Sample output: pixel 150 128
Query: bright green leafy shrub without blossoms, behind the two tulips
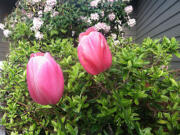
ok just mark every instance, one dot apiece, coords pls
pixel 137 95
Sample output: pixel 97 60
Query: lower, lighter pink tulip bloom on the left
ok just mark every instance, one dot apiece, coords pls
pixel 45 79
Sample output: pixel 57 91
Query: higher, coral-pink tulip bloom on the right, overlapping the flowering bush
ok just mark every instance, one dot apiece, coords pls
pixel 93 52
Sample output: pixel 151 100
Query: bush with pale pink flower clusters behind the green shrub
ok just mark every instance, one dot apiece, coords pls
pixel 44 19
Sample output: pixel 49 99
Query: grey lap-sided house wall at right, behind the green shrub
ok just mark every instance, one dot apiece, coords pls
pixel 158 18
